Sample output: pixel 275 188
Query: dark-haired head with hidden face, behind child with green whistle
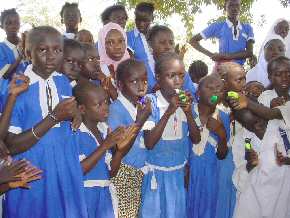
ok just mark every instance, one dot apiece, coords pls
pixel 197 70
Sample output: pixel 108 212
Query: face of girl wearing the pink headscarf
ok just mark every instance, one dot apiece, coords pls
pixel 115 45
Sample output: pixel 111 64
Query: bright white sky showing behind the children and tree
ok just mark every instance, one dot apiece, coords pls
pixel 262 10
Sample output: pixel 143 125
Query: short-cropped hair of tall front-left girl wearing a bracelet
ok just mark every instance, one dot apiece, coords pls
pixel 37 34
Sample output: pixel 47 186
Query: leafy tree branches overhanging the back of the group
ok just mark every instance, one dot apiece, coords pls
pixel 188 8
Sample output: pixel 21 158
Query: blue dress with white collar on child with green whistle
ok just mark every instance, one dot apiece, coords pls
pixel 203 190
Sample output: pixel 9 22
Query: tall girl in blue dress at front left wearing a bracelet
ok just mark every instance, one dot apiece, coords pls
pixel 38 134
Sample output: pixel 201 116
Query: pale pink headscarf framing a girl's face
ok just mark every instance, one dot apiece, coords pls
pixel 104 58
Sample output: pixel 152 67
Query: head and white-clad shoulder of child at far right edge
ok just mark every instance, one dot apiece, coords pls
pixel 279 76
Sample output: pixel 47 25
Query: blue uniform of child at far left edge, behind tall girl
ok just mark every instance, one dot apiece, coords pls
pixel 8 56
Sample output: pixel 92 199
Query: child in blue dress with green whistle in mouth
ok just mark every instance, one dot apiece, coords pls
pixel 214 125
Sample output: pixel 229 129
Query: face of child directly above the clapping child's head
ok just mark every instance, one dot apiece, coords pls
pixel 91 64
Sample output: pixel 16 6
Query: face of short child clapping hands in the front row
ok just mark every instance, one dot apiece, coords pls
pixel 96 108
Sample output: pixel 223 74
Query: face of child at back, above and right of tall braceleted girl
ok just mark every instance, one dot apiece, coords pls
pixel 71 18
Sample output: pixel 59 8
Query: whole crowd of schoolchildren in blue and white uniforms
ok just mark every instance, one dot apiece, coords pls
pixel 119 128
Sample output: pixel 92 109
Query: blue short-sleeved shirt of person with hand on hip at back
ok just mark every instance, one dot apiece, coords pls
pixel 228 41
